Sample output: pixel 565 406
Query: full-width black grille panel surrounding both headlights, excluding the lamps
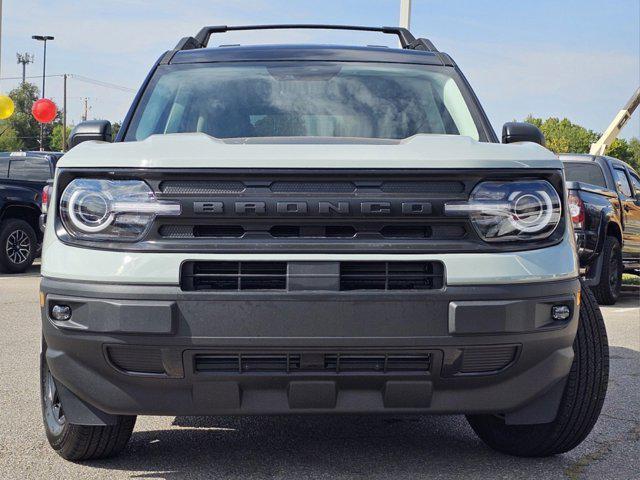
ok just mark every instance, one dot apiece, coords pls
pixel 312 211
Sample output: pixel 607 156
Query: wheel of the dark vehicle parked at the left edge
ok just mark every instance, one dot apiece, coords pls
pixel 18 245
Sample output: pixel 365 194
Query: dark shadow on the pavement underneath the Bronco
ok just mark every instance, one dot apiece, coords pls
pixel 306 446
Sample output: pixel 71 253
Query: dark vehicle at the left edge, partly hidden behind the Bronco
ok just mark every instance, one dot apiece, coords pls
pixel 23 176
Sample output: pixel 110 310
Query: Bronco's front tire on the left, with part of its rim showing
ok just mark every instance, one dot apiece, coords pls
pixel 79 442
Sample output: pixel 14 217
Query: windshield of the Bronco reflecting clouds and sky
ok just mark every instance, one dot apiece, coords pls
pixel 302 99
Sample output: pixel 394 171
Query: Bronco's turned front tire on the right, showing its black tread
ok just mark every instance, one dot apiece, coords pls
pixel 581 402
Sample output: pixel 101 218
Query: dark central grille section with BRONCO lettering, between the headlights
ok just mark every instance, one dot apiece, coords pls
pixel 308 211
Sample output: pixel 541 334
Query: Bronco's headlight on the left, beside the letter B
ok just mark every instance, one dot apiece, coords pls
pixel 120 210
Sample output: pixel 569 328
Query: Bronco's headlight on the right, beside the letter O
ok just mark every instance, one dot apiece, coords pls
pixel 512 211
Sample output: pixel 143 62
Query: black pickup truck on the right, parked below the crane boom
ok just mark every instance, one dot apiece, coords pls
pixel 604 200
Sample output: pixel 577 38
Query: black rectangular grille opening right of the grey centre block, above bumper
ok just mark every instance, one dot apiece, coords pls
pixel 391 275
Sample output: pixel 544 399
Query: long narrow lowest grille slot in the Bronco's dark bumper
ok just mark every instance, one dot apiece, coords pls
pixel 417 363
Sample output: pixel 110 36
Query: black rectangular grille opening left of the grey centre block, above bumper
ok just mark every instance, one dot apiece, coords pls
pixel 234 276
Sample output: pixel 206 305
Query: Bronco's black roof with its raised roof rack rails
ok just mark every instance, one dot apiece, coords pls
pixel 414 50
